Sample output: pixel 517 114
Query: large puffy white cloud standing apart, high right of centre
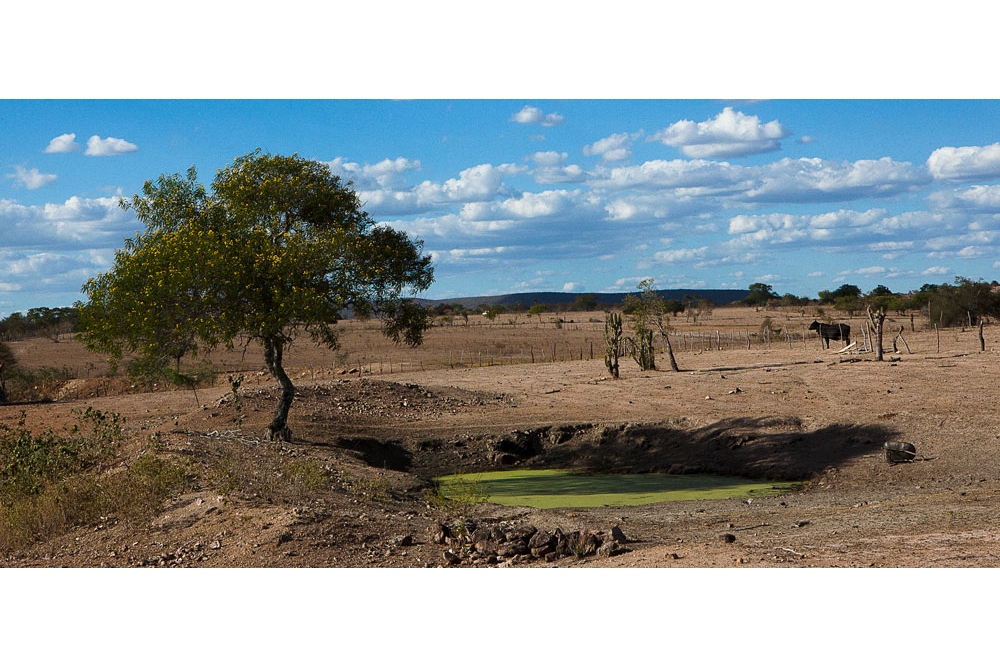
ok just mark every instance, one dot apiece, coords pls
pixel 730 134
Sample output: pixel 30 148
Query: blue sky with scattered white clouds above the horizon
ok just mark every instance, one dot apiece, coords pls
pixel 544 195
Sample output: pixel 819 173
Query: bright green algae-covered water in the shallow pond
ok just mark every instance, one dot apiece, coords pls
pixel 563 488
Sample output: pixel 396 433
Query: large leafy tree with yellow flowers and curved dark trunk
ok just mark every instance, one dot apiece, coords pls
pixel 278 246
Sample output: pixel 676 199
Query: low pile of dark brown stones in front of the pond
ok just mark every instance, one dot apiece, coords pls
pixel 474 544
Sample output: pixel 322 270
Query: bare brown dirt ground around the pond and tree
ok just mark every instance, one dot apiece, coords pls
pixel 802 413
